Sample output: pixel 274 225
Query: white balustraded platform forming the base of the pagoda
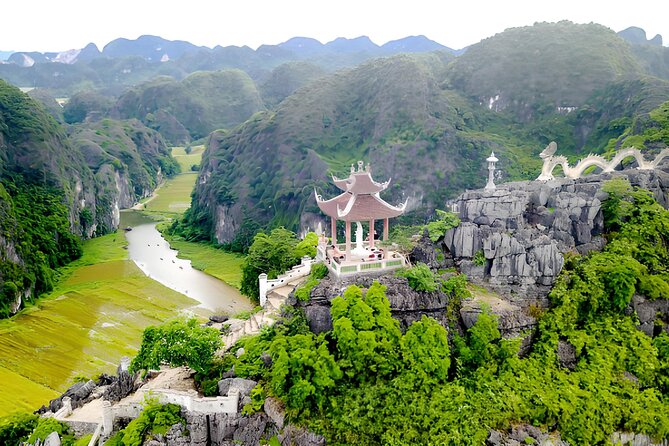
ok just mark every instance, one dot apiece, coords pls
pixel 373 259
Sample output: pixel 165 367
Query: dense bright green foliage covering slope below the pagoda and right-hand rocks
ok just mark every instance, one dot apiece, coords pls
pixel 367 383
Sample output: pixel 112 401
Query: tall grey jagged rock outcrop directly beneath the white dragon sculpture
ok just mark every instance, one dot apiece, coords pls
pixel 513 239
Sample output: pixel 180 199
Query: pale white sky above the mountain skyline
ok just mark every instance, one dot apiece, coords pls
pixel 48 25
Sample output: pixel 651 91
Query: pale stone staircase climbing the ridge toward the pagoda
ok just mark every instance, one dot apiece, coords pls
pixel 265 317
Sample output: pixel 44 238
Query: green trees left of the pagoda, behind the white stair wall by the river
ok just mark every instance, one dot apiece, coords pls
pixel 274 254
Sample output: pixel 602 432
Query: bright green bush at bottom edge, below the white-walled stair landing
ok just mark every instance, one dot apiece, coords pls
pixel 155 418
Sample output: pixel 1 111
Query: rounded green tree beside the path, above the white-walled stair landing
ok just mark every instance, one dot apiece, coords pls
pixel 177 343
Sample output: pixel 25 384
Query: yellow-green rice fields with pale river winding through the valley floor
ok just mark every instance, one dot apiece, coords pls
pixel 103 301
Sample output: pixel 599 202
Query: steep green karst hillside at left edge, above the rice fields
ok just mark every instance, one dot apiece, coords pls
pixel 55 189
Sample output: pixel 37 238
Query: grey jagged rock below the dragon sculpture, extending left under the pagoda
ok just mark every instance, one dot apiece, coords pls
pixel 510 241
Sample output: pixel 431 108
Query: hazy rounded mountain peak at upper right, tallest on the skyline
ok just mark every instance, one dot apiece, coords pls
pixel 533 70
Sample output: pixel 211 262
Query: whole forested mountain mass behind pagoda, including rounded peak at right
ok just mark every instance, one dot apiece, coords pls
pixel 426 121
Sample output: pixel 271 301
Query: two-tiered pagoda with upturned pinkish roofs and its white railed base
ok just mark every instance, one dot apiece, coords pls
pixel 359 202
